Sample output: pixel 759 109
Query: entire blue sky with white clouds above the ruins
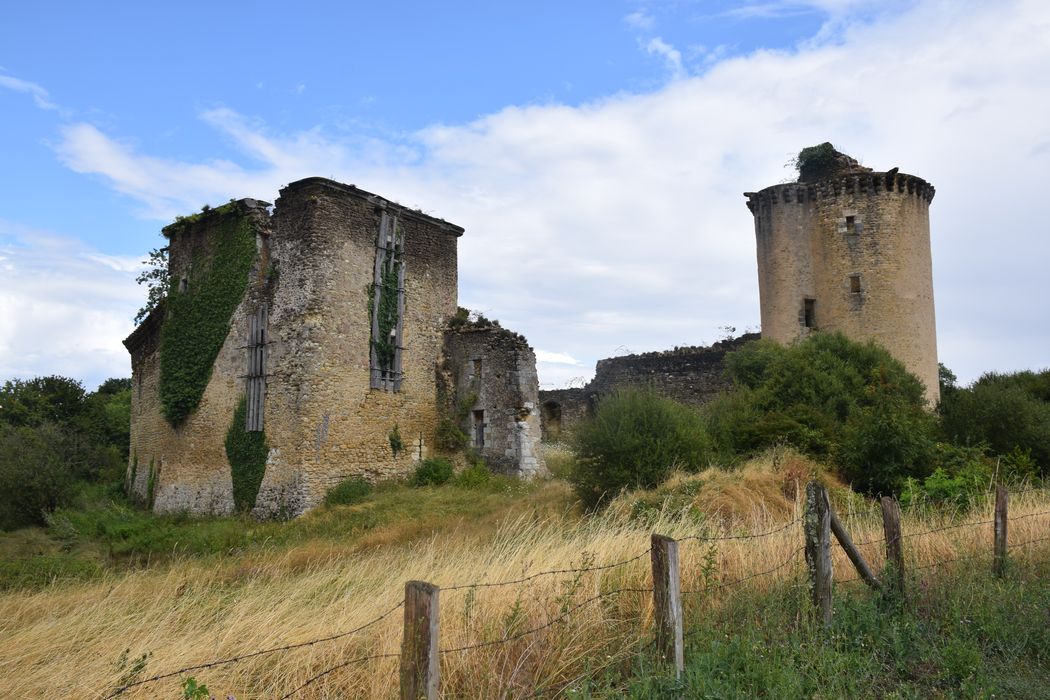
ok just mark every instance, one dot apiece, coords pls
pixel 596 153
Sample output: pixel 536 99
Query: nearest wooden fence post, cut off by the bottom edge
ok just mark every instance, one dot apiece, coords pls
pixel 421 669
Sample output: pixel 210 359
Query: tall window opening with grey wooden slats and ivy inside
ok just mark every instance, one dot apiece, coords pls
pixel 388 306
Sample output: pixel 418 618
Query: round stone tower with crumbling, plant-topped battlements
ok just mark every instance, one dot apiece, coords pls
pixel 847 249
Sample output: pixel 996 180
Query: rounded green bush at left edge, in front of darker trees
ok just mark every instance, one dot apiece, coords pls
pixel 35 476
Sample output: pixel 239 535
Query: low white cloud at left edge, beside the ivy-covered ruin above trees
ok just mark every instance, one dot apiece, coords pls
pixel 65 309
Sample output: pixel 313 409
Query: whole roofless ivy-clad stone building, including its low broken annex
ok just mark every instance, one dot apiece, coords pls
pixel 300 349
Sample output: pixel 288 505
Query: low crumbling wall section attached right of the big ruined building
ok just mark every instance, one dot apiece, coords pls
pixel 494 372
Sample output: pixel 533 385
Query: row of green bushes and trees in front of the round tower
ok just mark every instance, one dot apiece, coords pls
pixel 850 406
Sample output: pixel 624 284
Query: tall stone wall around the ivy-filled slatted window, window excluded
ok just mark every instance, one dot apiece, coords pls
pixel 325 422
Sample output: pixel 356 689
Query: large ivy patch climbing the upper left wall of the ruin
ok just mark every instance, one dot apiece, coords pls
pixel 199 320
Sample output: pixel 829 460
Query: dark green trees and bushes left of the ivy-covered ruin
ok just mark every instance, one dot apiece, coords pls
pixel 54 436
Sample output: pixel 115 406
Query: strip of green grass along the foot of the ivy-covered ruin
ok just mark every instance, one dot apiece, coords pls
pixel 104 533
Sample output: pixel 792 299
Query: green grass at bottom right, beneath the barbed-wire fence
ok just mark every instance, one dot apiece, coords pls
pixel 960 634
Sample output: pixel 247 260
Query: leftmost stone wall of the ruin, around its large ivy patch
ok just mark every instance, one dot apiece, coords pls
pixel 191 472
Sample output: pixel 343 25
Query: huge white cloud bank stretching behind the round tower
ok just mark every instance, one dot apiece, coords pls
pixel 622 222
